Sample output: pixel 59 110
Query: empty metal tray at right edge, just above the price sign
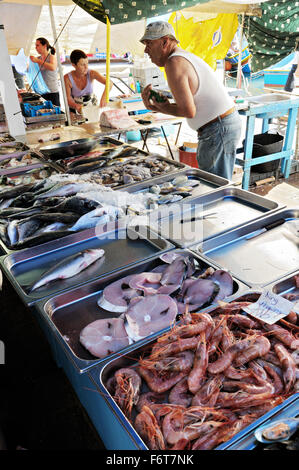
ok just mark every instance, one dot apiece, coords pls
pixel 256 262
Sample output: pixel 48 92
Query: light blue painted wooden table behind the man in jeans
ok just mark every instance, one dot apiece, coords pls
pixel 267 107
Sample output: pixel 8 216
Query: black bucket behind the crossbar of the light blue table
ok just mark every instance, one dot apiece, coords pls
pixel 266 144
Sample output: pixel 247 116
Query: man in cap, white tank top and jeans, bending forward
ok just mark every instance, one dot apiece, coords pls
pixel 199 96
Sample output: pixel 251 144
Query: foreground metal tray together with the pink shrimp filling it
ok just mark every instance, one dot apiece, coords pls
pixel 184 410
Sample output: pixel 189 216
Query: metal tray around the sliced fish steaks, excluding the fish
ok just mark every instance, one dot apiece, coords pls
pixel 67 314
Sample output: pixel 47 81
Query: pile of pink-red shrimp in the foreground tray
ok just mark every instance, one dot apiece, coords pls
pixel 209 377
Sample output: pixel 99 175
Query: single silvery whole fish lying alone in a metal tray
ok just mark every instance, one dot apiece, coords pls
pixel 69 267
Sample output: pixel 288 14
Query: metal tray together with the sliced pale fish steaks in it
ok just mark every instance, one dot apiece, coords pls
pixel 72 316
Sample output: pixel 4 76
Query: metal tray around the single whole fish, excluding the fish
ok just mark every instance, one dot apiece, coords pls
pixel 123 247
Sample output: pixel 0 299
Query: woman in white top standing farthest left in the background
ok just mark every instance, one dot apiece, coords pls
pixel 47 62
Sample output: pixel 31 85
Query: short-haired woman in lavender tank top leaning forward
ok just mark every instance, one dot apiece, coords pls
pixel 78 82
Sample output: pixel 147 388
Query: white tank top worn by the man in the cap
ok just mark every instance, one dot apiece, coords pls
pixel 211 99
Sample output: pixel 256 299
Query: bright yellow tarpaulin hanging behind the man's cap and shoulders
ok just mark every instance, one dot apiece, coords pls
pixel 209 39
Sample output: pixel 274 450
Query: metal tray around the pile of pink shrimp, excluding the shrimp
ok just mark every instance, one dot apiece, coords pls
pixel 118 421
